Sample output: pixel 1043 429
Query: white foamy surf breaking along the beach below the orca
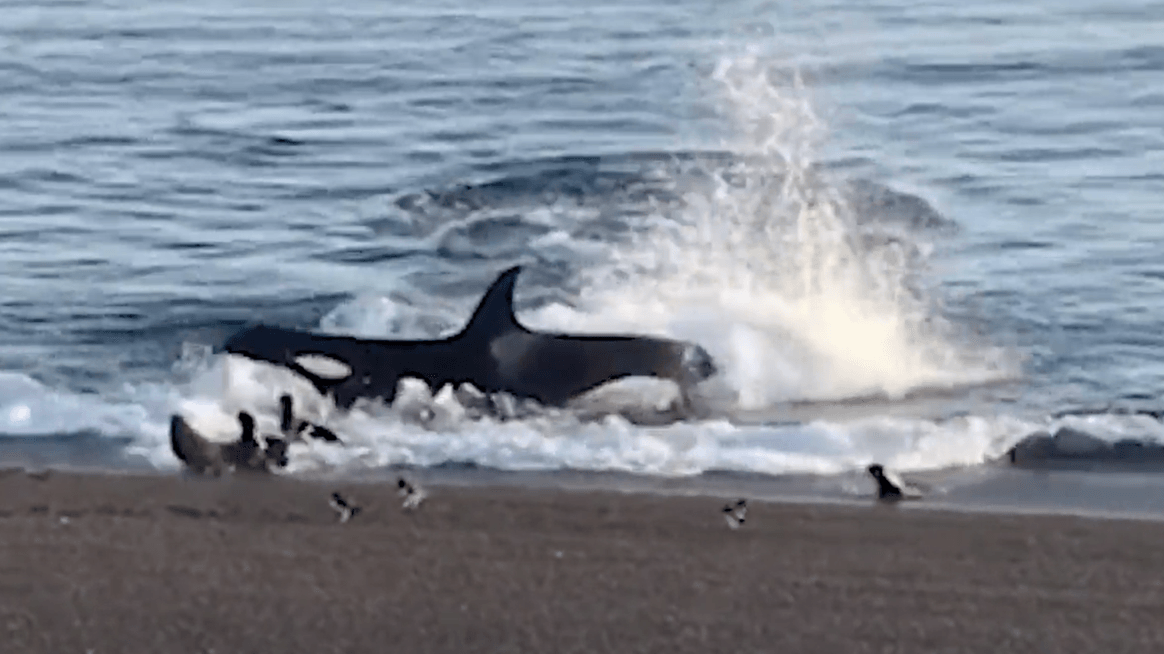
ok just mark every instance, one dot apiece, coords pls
pixel 427 430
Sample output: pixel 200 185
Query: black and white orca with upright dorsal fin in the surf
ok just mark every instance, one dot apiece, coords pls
pixel 494 353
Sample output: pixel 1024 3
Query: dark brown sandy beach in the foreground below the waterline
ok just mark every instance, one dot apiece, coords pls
pixel 168 564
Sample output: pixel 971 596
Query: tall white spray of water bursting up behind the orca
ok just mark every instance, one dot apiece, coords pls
pixel 798 296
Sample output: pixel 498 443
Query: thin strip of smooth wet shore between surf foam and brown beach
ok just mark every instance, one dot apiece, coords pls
pixel 988 489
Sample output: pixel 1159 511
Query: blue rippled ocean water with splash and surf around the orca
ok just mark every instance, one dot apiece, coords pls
pixel 912 233
